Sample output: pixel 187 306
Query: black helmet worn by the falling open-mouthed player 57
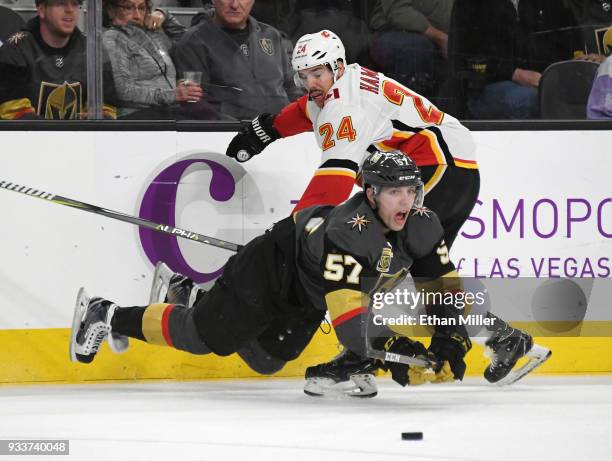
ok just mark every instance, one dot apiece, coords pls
pixel 393 168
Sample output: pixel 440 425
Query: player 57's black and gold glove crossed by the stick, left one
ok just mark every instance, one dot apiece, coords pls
pixel 406 374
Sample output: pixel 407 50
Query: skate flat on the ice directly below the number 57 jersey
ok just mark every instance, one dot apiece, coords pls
pixel 347 374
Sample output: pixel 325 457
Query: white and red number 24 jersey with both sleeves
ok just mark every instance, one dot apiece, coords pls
pixel 366 108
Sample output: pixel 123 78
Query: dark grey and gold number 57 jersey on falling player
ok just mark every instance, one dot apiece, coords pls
pixel 343 256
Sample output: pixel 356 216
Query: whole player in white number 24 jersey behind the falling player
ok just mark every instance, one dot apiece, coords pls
pixel 351 109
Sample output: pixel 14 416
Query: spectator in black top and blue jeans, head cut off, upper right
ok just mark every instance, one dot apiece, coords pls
pixel 485 44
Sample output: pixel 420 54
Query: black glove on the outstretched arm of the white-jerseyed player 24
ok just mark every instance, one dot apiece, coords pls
pixel 253 138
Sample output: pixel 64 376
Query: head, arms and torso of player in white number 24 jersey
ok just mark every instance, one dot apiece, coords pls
pixel 349 108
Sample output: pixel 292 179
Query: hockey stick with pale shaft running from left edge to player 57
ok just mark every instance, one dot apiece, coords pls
pixel 163 228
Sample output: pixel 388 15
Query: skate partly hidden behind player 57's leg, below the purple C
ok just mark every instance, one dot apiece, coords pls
pixel 172 288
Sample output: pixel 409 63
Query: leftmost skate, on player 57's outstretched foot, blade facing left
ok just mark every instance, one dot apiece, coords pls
pixel 91 325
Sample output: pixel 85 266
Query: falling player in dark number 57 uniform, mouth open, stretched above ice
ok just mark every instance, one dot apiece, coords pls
pixel 274 293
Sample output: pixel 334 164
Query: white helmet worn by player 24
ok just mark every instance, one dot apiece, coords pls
pixel 312 50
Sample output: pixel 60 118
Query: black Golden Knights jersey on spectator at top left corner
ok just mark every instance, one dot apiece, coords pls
pixel 39 81
